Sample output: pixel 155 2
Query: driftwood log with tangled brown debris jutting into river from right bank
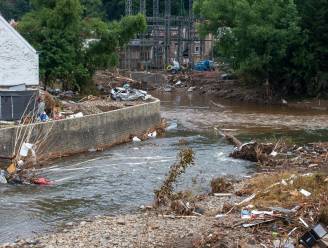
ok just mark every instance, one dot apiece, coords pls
pixel 252 151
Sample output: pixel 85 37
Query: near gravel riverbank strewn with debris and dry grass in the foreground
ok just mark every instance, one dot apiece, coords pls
pixel 280 197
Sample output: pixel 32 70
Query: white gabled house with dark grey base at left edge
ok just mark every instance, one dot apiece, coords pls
pixel 19 72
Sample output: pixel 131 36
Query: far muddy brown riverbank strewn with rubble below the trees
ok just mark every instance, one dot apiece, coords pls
pixel 219 86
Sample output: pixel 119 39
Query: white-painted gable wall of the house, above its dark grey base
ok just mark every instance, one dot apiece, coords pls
pixel 19 62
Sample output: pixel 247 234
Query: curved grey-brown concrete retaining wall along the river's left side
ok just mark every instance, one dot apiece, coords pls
pixel 78 135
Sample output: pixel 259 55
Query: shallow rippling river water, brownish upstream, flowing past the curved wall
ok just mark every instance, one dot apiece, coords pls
pixel 121 179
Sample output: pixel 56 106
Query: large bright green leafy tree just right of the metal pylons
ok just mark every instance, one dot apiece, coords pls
pixel 259 37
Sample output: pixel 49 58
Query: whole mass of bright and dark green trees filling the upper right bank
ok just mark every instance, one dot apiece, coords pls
pixel 281 43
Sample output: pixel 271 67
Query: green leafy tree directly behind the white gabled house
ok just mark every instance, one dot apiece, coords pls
pixel 73 45
